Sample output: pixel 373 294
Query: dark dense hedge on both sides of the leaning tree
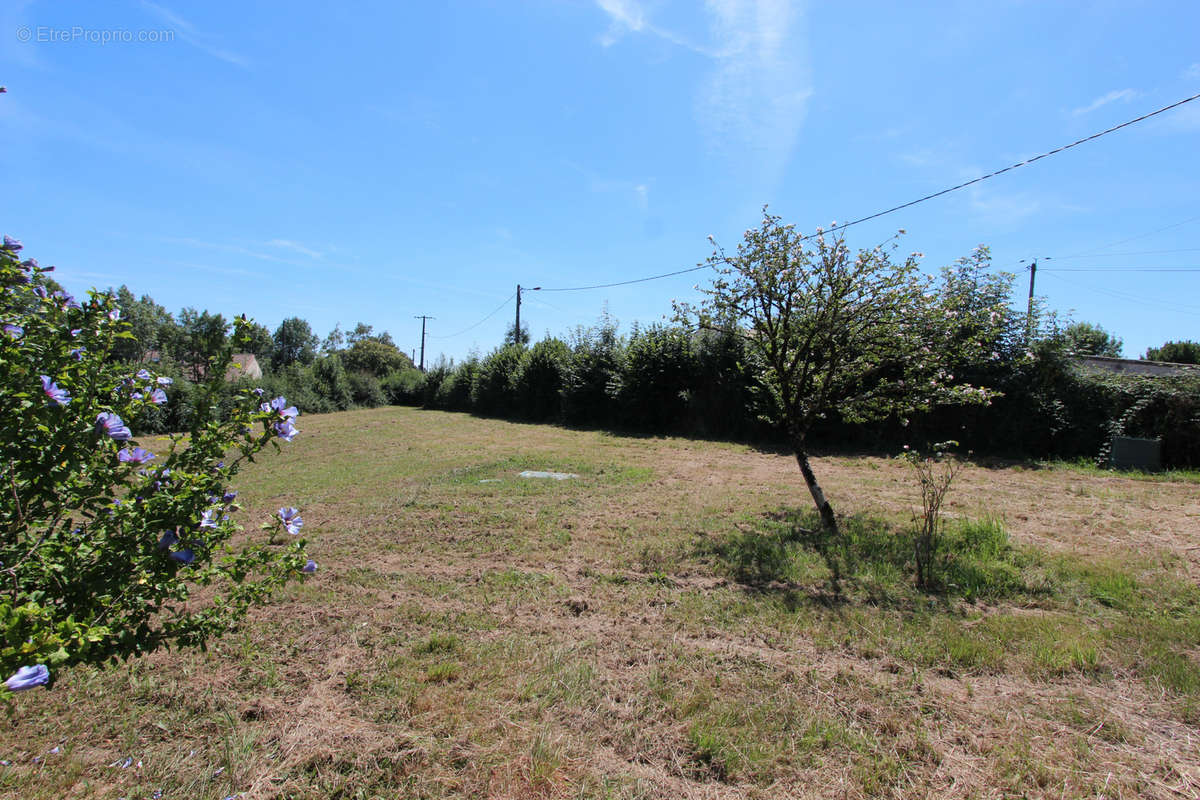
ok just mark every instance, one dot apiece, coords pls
pixel 667 380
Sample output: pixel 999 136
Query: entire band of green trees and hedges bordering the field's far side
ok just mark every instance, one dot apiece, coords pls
pixel 669 380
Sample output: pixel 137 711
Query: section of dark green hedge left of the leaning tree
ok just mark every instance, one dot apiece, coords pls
pixel 661 380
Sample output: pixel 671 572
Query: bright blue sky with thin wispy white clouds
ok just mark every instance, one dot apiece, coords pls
pixel 397 160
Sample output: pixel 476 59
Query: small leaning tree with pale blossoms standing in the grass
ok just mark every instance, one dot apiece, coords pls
pixel 850 335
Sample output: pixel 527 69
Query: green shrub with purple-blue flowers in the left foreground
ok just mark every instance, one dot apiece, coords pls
pixel 104 542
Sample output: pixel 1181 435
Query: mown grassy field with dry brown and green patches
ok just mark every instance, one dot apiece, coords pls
pixel 661 627
